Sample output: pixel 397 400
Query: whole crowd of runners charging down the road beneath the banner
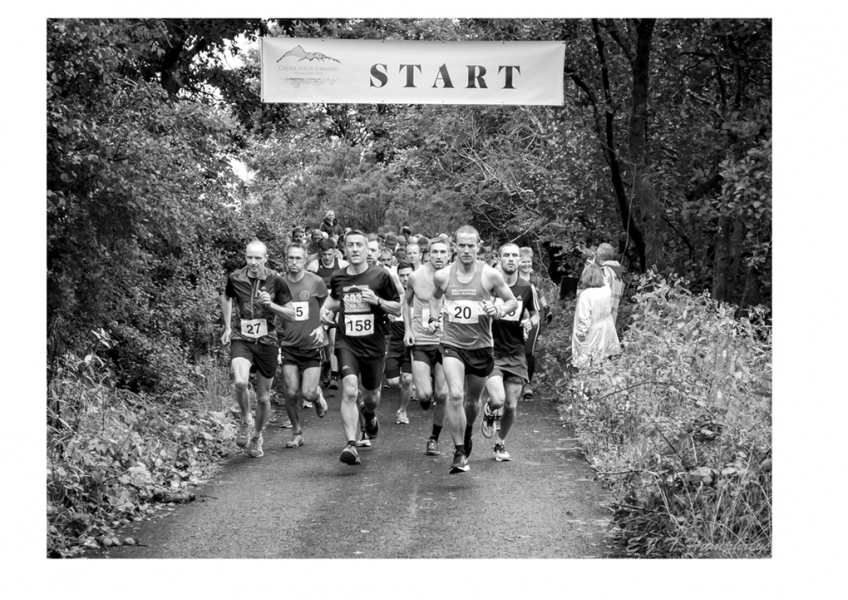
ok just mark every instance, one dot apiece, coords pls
pixel 449 321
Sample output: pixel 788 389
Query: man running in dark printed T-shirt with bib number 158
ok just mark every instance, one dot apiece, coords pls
pixel 363 294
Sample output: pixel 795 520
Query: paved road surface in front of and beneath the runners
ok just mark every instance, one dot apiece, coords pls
pixel 399 503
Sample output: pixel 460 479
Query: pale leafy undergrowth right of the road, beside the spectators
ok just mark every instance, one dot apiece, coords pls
pixel 679 425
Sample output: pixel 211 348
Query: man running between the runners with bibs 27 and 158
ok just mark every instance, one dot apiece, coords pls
pixel 302 340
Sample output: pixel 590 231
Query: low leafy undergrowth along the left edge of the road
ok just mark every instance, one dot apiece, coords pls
pixel 113 454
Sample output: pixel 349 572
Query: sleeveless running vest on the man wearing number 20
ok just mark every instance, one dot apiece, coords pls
pixel 464 322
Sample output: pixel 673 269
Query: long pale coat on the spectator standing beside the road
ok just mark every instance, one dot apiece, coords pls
pixel 593 323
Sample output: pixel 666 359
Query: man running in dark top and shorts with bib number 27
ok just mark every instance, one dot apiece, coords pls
pixel 261 295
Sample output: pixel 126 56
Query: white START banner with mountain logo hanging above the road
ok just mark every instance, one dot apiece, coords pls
pixel 412 72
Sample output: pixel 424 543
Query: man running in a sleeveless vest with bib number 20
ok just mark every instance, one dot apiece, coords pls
pixel 468 287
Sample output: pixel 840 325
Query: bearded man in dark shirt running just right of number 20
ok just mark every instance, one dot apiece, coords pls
pixel 510 372
